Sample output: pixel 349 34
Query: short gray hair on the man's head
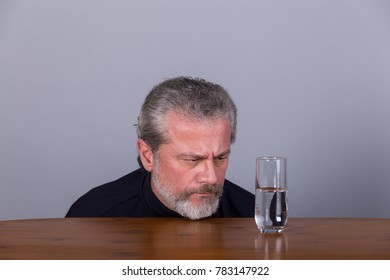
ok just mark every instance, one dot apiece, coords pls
pixel 194 98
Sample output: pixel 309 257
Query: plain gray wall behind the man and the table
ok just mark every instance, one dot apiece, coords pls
pixel 311 80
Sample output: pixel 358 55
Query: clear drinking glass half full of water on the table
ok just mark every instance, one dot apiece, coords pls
pixel 271 194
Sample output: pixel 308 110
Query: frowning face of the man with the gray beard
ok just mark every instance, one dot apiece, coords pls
pixel 189 171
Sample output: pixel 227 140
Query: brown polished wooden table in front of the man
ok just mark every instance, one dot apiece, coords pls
pixel 167 238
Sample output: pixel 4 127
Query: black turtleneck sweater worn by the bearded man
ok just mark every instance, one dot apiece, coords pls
pixel 132 196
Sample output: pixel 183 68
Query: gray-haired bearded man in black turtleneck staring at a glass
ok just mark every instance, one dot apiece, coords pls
pixel 185 129
